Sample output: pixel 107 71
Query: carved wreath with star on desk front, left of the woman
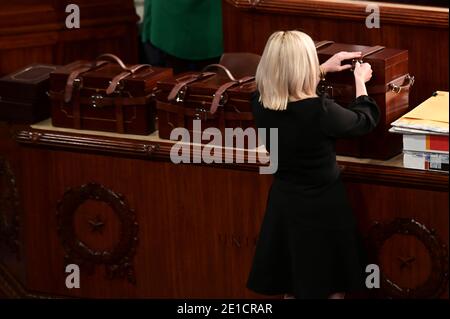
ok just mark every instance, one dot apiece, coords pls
pixel 94 234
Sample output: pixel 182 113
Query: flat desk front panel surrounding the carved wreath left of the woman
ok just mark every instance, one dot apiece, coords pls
pixel 190 244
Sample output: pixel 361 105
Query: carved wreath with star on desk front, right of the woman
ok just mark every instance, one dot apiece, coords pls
pixel 412 258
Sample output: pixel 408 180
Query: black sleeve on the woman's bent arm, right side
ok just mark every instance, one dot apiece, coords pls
pixel 361 117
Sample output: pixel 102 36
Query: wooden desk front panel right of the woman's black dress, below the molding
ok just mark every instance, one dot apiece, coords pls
pixel 384 204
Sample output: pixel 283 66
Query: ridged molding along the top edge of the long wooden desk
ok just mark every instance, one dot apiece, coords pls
pixel 351 171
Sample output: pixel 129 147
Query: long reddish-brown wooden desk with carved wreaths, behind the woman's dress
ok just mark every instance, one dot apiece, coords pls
pixel 140 226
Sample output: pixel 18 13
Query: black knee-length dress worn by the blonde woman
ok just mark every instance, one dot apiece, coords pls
pixel 308 245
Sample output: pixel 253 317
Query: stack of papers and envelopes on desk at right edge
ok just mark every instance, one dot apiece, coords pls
pixel 425 134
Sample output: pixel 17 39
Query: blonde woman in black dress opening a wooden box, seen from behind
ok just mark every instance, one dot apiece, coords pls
pixel 308 246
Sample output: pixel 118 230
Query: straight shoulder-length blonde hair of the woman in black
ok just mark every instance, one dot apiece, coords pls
pixel 288 70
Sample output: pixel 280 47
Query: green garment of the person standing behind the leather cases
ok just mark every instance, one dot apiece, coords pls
pixel 186 29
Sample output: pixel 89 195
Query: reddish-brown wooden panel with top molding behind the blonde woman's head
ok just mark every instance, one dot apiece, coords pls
pixel 422 31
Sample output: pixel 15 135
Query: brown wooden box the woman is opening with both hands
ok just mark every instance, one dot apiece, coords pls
pixel 389 87
